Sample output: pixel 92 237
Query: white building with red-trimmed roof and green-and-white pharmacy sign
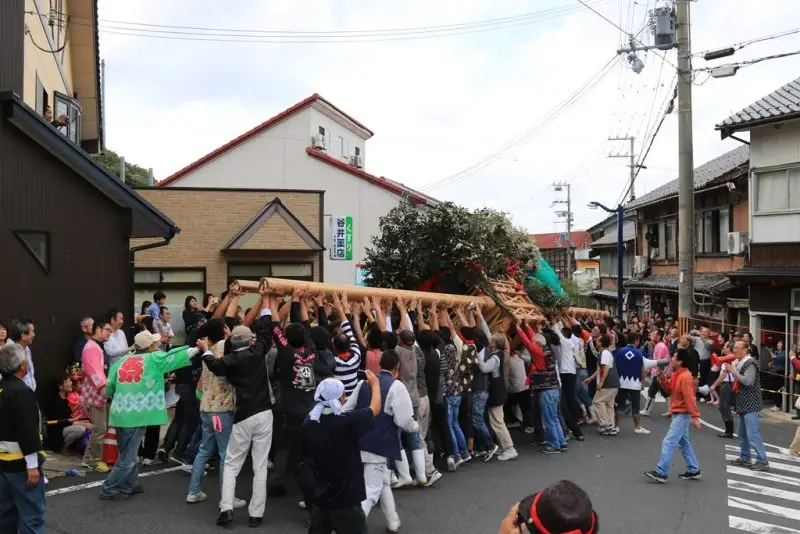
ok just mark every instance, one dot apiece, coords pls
pixel 312 145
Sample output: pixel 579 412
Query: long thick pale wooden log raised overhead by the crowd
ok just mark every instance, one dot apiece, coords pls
pixel 359 292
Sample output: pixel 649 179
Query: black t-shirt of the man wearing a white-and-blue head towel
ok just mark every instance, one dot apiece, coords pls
pixel 331 446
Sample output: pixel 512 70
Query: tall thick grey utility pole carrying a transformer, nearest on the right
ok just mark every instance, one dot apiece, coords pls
pixel 685 168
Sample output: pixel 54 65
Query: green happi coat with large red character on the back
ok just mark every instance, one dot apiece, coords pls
pixel 136 386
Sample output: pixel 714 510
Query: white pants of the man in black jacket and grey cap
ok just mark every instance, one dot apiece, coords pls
pixel 256 430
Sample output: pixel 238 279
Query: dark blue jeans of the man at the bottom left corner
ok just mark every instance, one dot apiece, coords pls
pixel 21 507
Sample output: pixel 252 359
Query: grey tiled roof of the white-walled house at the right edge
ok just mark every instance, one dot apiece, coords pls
pixel 777 106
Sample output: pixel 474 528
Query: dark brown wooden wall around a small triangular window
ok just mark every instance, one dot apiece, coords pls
pixel 89 261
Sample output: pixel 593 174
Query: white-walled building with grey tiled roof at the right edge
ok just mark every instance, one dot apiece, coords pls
pixel 772 270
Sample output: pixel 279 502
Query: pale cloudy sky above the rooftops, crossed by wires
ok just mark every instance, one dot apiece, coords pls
pixel 439 105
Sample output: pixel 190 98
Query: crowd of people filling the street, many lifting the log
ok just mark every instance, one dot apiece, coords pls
pixel 356 399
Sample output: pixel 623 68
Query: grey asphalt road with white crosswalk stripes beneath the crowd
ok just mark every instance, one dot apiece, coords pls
pixel 475 499
